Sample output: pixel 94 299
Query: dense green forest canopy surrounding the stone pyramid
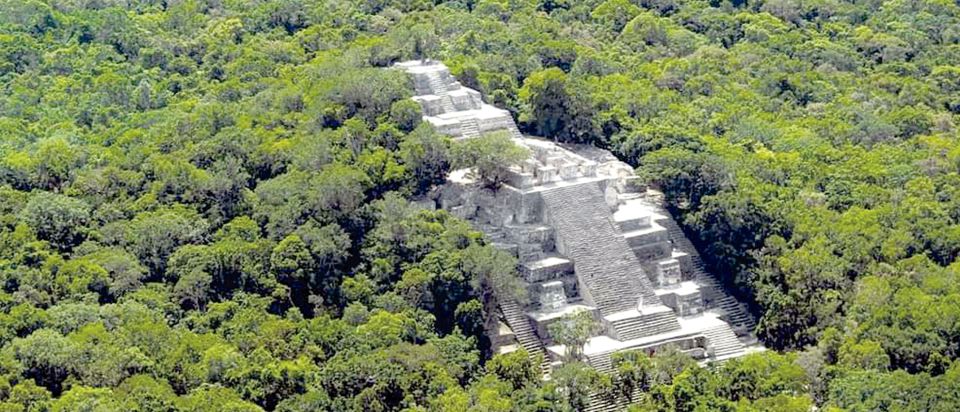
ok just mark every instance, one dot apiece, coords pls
pixel 210 205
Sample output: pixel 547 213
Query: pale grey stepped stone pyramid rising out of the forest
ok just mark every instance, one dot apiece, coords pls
pixel 588 236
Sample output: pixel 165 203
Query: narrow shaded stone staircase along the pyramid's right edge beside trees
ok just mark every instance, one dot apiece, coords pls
pixel 713 294
